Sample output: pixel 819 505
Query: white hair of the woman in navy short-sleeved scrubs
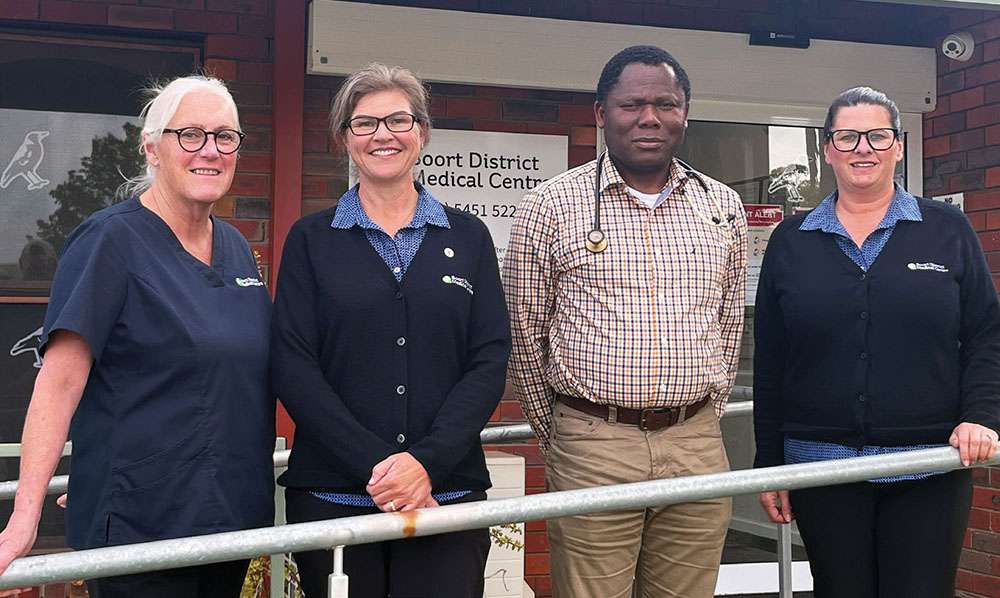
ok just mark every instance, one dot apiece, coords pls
pixel 164 99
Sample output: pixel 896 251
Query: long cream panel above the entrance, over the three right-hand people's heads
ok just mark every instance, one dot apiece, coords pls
pixel 464 47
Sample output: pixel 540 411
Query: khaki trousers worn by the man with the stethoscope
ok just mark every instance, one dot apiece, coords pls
pixel 671 551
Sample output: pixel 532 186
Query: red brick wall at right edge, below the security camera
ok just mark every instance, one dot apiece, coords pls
pixel 962 153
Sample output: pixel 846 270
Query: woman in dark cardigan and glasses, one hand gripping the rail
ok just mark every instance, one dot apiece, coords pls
pixel 877 331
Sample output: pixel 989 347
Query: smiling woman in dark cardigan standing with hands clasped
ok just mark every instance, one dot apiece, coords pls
pixel 389 348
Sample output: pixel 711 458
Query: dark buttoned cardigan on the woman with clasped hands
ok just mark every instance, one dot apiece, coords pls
pixel 368 367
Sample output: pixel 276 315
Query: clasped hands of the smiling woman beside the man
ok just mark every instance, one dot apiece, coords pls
pixel 400 483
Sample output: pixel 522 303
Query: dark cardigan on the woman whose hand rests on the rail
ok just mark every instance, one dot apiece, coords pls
pixel 896 356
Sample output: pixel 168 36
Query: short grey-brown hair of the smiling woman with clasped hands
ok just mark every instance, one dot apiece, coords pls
pixel 374 78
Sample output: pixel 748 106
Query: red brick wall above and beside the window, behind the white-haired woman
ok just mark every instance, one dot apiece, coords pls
pixel 237 38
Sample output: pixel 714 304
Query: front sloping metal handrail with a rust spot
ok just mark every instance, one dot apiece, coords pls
pixel 213 548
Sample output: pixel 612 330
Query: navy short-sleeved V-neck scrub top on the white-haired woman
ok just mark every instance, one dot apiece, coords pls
pixel 175 430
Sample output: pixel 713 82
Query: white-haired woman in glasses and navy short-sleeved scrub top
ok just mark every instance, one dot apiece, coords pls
pixel 156 350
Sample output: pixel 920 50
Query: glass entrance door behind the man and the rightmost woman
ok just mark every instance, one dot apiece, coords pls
pixel 778 170
